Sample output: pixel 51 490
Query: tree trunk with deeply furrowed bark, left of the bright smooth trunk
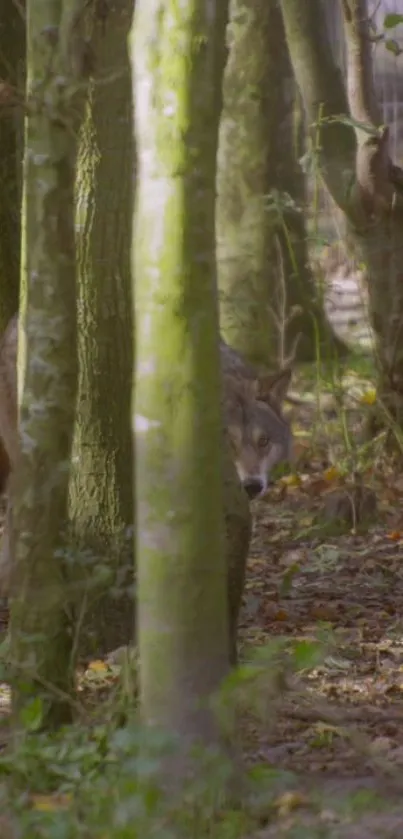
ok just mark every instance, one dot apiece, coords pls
pixel 101 495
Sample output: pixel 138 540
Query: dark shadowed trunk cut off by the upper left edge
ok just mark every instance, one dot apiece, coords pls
pixel 12 60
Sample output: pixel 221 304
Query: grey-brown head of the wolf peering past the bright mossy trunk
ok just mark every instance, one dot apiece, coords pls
pixel 260 435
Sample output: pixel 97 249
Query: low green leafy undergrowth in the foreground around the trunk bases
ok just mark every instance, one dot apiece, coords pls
pixel 100 777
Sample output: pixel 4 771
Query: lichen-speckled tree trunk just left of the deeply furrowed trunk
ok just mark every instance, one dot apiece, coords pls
pixel 41 643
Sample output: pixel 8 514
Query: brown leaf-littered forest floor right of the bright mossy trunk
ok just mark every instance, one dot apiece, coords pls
pixel 324 608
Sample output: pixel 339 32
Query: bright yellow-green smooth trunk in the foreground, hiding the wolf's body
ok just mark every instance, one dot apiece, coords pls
pixel 182 578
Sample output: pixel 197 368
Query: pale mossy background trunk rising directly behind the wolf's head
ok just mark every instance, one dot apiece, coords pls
pixel 246 251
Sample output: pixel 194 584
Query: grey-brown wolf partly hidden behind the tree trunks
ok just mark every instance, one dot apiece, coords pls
pixel 260 436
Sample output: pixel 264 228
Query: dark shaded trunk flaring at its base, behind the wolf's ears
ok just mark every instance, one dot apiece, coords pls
pixel 293 291
